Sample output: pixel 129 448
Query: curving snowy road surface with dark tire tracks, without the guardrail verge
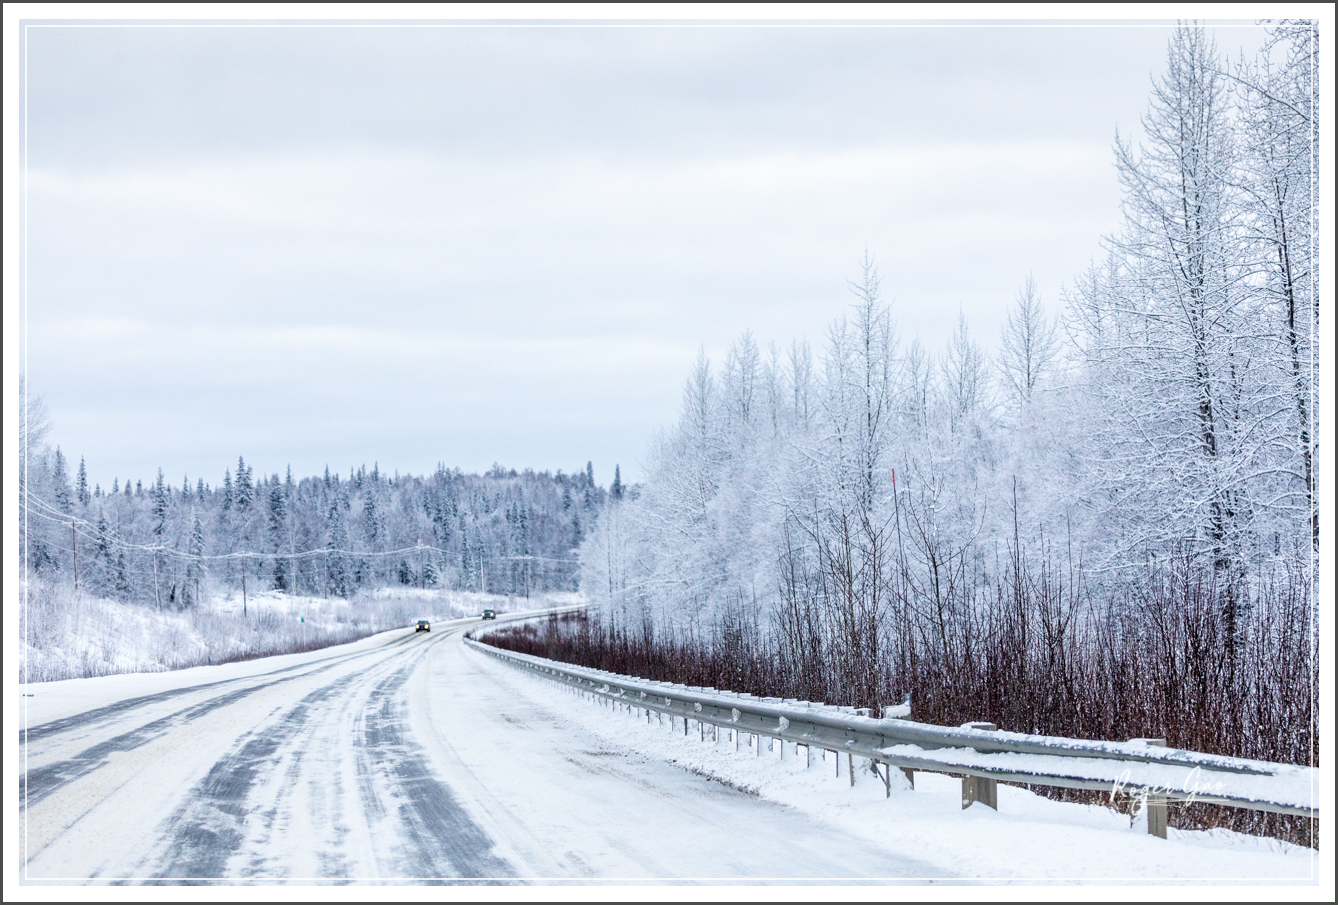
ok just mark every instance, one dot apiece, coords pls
pixel 405 757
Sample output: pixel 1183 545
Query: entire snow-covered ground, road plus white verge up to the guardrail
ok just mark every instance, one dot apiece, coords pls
pixel 409 757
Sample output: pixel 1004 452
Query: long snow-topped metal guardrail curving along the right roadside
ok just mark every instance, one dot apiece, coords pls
pixel 977 753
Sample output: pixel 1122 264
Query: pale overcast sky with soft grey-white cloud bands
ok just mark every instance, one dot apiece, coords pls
pixel 413 246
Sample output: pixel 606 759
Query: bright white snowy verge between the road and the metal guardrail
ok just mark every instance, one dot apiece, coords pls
pixel 1028 839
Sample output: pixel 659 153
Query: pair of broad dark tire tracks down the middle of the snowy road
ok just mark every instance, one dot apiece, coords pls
pixel 414 821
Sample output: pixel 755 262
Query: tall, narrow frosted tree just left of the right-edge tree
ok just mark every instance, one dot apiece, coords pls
pixel 1170 329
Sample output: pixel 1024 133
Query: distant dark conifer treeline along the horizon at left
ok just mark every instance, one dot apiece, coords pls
pixel 173 546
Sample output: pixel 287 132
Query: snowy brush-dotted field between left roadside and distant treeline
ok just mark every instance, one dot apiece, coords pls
pixel 73 635
